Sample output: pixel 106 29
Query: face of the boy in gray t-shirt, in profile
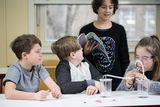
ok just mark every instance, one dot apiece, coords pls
pixel 34 57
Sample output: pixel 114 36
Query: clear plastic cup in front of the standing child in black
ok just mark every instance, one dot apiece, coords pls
pixel 105 87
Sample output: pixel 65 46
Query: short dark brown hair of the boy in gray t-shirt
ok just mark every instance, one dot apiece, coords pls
pixel 24 43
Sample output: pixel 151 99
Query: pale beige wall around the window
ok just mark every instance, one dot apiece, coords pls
pixel 14 22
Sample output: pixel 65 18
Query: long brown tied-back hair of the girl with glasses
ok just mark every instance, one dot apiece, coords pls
pixel 152 45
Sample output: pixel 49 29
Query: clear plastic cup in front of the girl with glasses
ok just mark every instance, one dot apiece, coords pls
pixel 142 88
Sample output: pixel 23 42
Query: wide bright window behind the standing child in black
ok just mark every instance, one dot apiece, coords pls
pixel 138 20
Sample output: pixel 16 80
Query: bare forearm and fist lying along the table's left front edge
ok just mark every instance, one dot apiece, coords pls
pixel 12 93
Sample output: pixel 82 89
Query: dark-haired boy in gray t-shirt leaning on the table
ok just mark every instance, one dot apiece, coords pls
pixel 22 78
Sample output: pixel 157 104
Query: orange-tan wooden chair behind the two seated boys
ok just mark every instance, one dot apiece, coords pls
pixel 50 66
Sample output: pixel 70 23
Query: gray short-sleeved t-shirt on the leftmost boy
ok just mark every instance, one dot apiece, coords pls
pixel 24 80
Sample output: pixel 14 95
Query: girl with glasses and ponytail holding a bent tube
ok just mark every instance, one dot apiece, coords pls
pixel 148 52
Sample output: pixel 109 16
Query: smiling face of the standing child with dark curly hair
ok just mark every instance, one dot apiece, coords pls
pixel 105 11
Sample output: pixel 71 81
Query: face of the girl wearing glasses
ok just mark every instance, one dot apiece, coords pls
pixel 146 58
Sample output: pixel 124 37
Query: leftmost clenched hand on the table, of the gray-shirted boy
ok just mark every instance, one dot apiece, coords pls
pixel 41 95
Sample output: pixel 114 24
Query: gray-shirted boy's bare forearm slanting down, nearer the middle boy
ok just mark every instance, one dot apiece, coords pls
pixel 56 92
